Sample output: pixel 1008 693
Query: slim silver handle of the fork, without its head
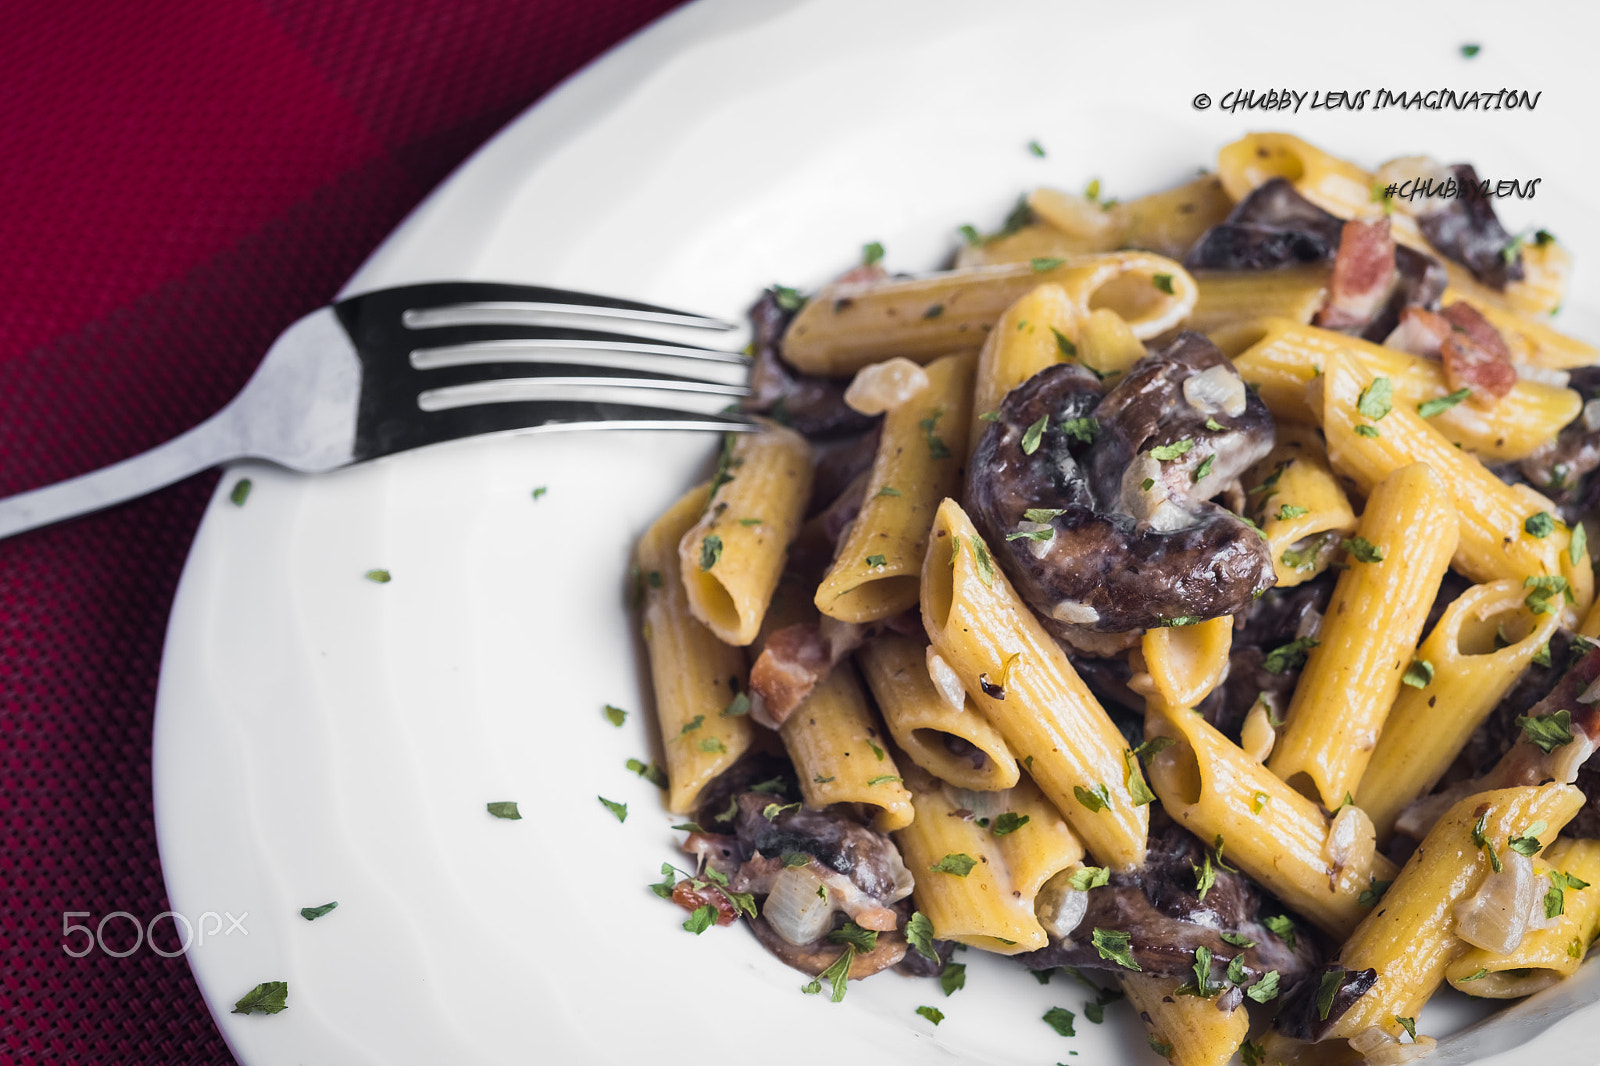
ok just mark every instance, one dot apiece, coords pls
pixel 209 444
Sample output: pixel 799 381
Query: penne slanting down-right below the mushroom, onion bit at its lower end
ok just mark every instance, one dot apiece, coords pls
pixel 1273 833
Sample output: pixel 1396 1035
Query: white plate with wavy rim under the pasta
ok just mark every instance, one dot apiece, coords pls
pixel 321 737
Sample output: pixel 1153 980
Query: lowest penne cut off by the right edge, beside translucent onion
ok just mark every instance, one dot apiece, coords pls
pixel 1545 955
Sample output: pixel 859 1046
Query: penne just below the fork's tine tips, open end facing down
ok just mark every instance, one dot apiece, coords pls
pixel 735 555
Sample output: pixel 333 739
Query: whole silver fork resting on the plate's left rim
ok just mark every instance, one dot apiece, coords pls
pixel 423 364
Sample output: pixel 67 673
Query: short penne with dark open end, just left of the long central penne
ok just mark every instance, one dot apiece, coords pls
pixel 956 745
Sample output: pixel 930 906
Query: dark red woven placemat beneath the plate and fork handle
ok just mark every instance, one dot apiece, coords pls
pixel 180 182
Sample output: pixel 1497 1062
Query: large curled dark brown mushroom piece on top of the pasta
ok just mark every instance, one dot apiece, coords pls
pixel 1130 473
